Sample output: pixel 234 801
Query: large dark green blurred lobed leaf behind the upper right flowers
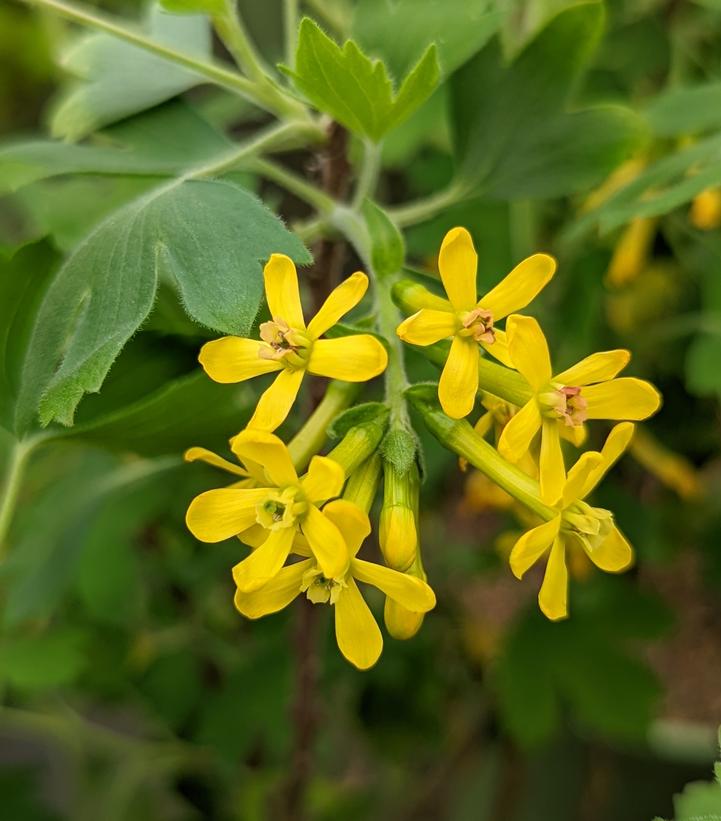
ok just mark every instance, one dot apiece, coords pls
pixel 513 135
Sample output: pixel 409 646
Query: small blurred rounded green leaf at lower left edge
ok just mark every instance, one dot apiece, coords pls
pixel 42 662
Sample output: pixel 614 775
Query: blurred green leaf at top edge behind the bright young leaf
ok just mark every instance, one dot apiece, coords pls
pixel 458 28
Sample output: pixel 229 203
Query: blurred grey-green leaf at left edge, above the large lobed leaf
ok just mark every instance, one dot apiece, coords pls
pixel 164 141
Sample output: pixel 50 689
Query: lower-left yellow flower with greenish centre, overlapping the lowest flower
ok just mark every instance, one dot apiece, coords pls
pixel 270 515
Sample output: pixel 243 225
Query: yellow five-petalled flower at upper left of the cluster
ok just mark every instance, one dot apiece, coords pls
pixel 291 347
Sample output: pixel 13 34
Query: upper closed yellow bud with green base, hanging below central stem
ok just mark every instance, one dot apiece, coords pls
pixel 397 533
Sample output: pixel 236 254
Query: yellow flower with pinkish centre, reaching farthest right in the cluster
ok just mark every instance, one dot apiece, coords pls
pixel 587 390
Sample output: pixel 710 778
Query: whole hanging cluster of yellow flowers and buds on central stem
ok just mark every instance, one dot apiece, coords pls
pixel 304 516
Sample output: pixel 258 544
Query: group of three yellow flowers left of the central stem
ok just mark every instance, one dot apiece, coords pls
pixel 303 537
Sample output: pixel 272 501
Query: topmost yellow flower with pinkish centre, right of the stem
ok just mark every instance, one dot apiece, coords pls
pixel 469 320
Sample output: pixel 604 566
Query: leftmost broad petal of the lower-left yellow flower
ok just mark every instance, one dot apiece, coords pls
pixel 219 514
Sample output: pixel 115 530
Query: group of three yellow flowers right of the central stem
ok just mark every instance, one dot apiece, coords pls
pixel 531 409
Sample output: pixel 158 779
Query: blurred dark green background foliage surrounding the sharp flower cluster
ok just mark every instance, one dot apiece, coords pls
pixel 131 689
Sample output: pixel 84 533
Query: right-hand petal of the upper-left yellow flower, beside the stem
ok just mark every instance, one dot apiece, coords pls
pixel 356 358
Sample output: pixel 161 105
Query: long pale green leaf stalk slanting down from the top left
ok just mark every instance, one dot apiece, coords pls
pixel 270 99
